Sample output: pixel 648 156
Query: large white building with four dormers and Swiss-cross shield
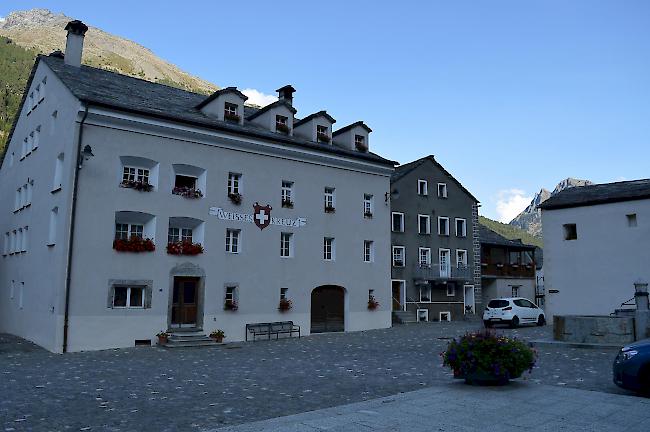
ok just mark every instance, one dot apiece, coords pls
pixel 244 207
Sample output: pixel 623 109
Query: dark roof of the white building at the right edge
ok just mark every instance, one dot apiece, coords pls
pixel 604 193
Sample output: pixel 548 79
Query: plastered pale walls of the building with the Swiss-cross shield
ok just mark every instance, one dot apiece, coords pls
pixel 33 272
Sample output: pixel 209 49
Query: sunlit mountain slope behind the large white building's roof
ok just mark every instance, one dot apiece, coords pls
pixel 24 34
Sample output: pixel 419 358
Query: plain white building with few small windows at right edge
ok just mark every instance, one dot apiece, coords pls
pixel 595 246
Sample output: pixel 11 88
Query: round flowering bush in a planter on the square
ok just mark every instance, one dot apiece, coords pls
pixel 489 355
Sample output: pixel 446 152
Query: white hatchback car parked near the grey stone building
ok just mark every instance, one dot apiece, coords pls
pixel 513 311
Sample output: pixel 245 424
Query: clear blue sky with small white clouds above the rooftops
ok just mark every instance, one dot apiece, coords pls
pixel 509 95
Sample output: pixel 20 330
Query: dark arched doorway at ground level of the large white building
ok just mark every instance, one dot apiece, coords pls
pixel 328 309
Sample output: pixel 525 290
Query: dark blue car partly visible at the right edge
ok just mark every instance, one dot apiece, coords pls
pixel 632 367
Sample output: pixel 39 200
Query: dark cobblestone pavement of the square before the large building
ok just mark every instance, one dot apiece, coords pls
pixel 195 389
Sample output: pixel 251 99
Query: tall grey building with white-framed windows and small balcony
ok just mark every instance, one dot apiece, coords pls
pixel 435 248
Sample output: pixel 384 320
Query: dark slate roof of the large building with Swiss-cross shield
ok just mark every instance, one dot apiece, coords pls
pixel 102 88
